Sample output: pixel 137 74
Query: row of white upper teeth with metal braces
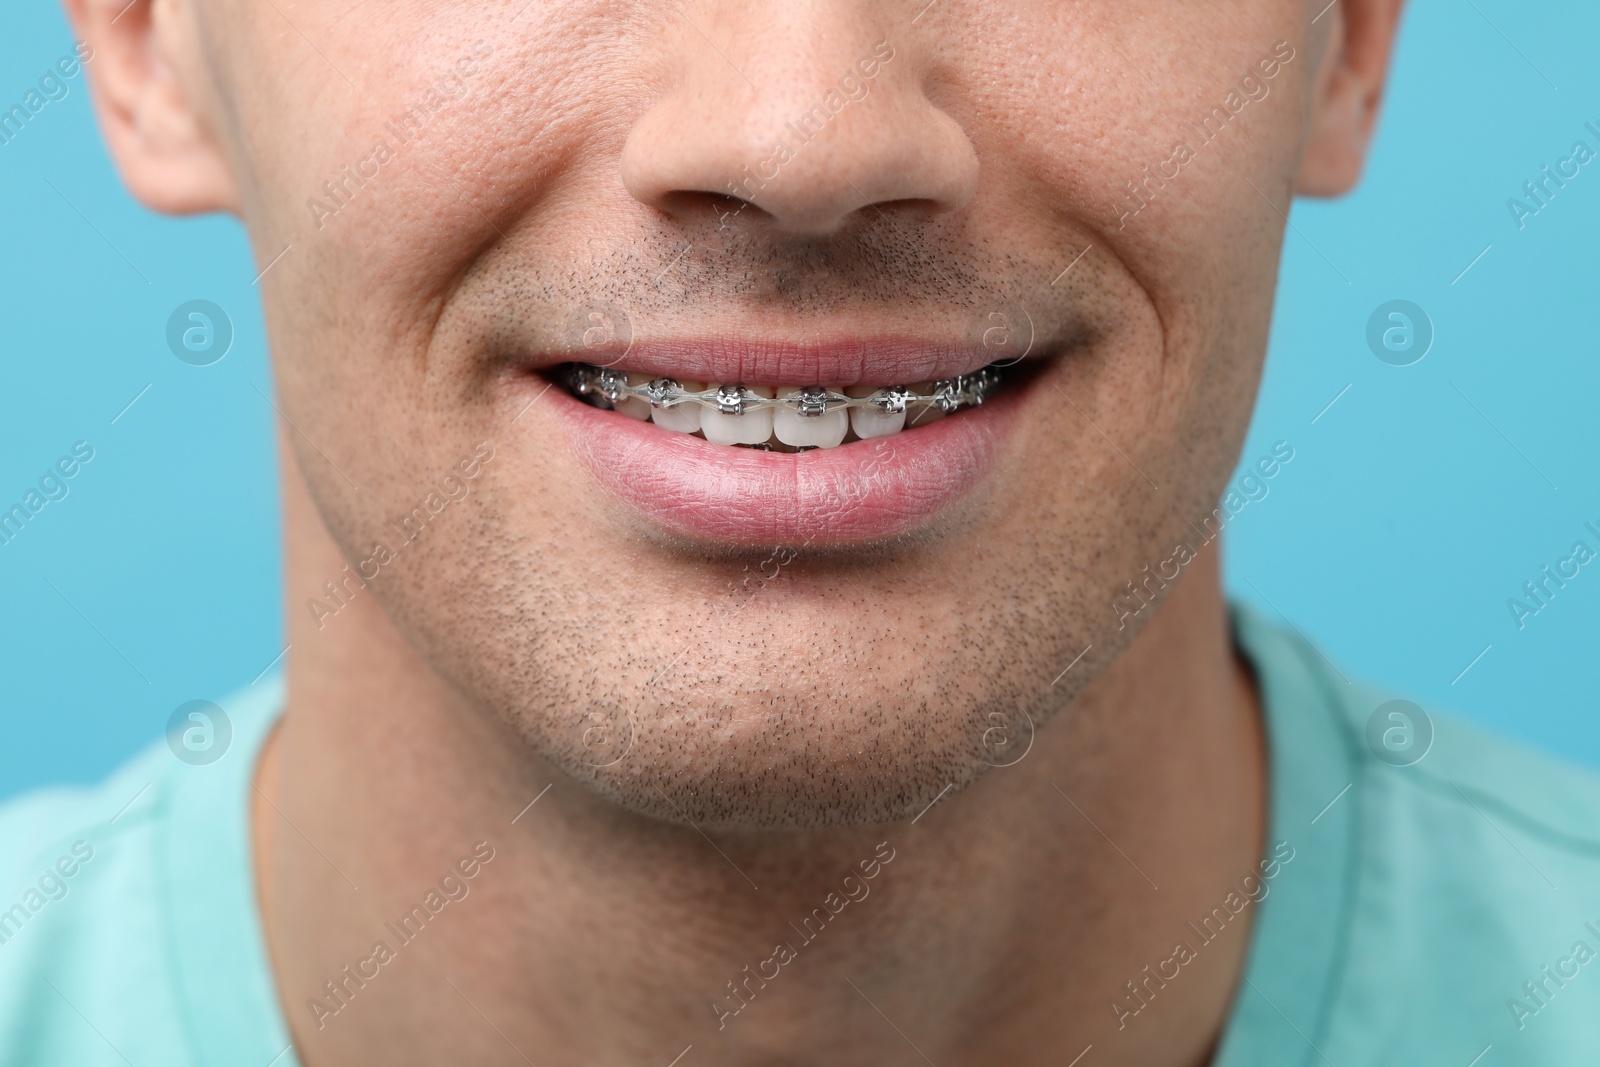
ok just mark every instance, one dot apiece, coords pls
pixel 812 417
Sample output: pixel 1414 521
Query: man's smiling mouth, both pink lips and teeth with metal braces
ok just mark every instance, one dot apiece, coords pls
pixel 753 446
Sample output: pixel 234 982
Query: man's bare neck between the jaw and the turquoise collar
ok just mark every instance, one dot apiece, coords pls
pixel 1015 922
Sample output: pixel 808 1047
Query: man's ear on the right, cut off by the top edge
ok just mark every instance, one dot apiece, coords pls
pixel 1350 89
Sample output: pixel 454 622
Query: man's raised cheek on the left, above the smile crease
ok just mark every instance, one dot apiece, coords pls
pixel 465 153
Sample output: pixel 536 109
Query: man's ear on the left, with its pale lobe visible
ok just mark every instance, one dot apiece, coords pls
pixel 146 76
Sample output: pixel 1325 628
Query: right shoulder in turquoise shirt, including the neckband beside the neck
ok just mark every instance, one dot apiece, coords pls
pixel 1470 908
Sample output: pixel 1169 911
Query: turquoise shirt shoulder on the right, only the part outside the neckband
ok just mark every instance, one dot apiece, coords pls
pixel 1481 868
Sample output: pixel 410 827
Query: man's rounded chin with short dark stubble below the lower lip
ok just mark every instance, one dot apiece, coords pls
pixel 793 713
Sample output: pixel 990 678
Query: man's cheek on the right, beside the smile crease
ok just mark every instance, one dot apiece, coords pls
pixel 1202 250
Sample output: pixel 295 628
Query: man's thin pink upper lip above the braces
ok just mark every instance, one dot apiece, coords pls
pixel 850 362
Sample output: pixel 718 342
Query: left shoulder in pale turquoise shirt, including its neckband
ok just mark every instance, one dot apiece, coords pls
pixel 127 909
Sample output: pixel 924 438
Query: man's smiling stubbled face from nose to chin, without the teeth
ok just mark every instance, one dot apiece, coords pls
pixel 476 194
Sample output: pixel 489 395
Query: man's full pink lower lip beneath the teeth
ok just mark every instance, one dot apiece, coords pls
pixel 866 490
